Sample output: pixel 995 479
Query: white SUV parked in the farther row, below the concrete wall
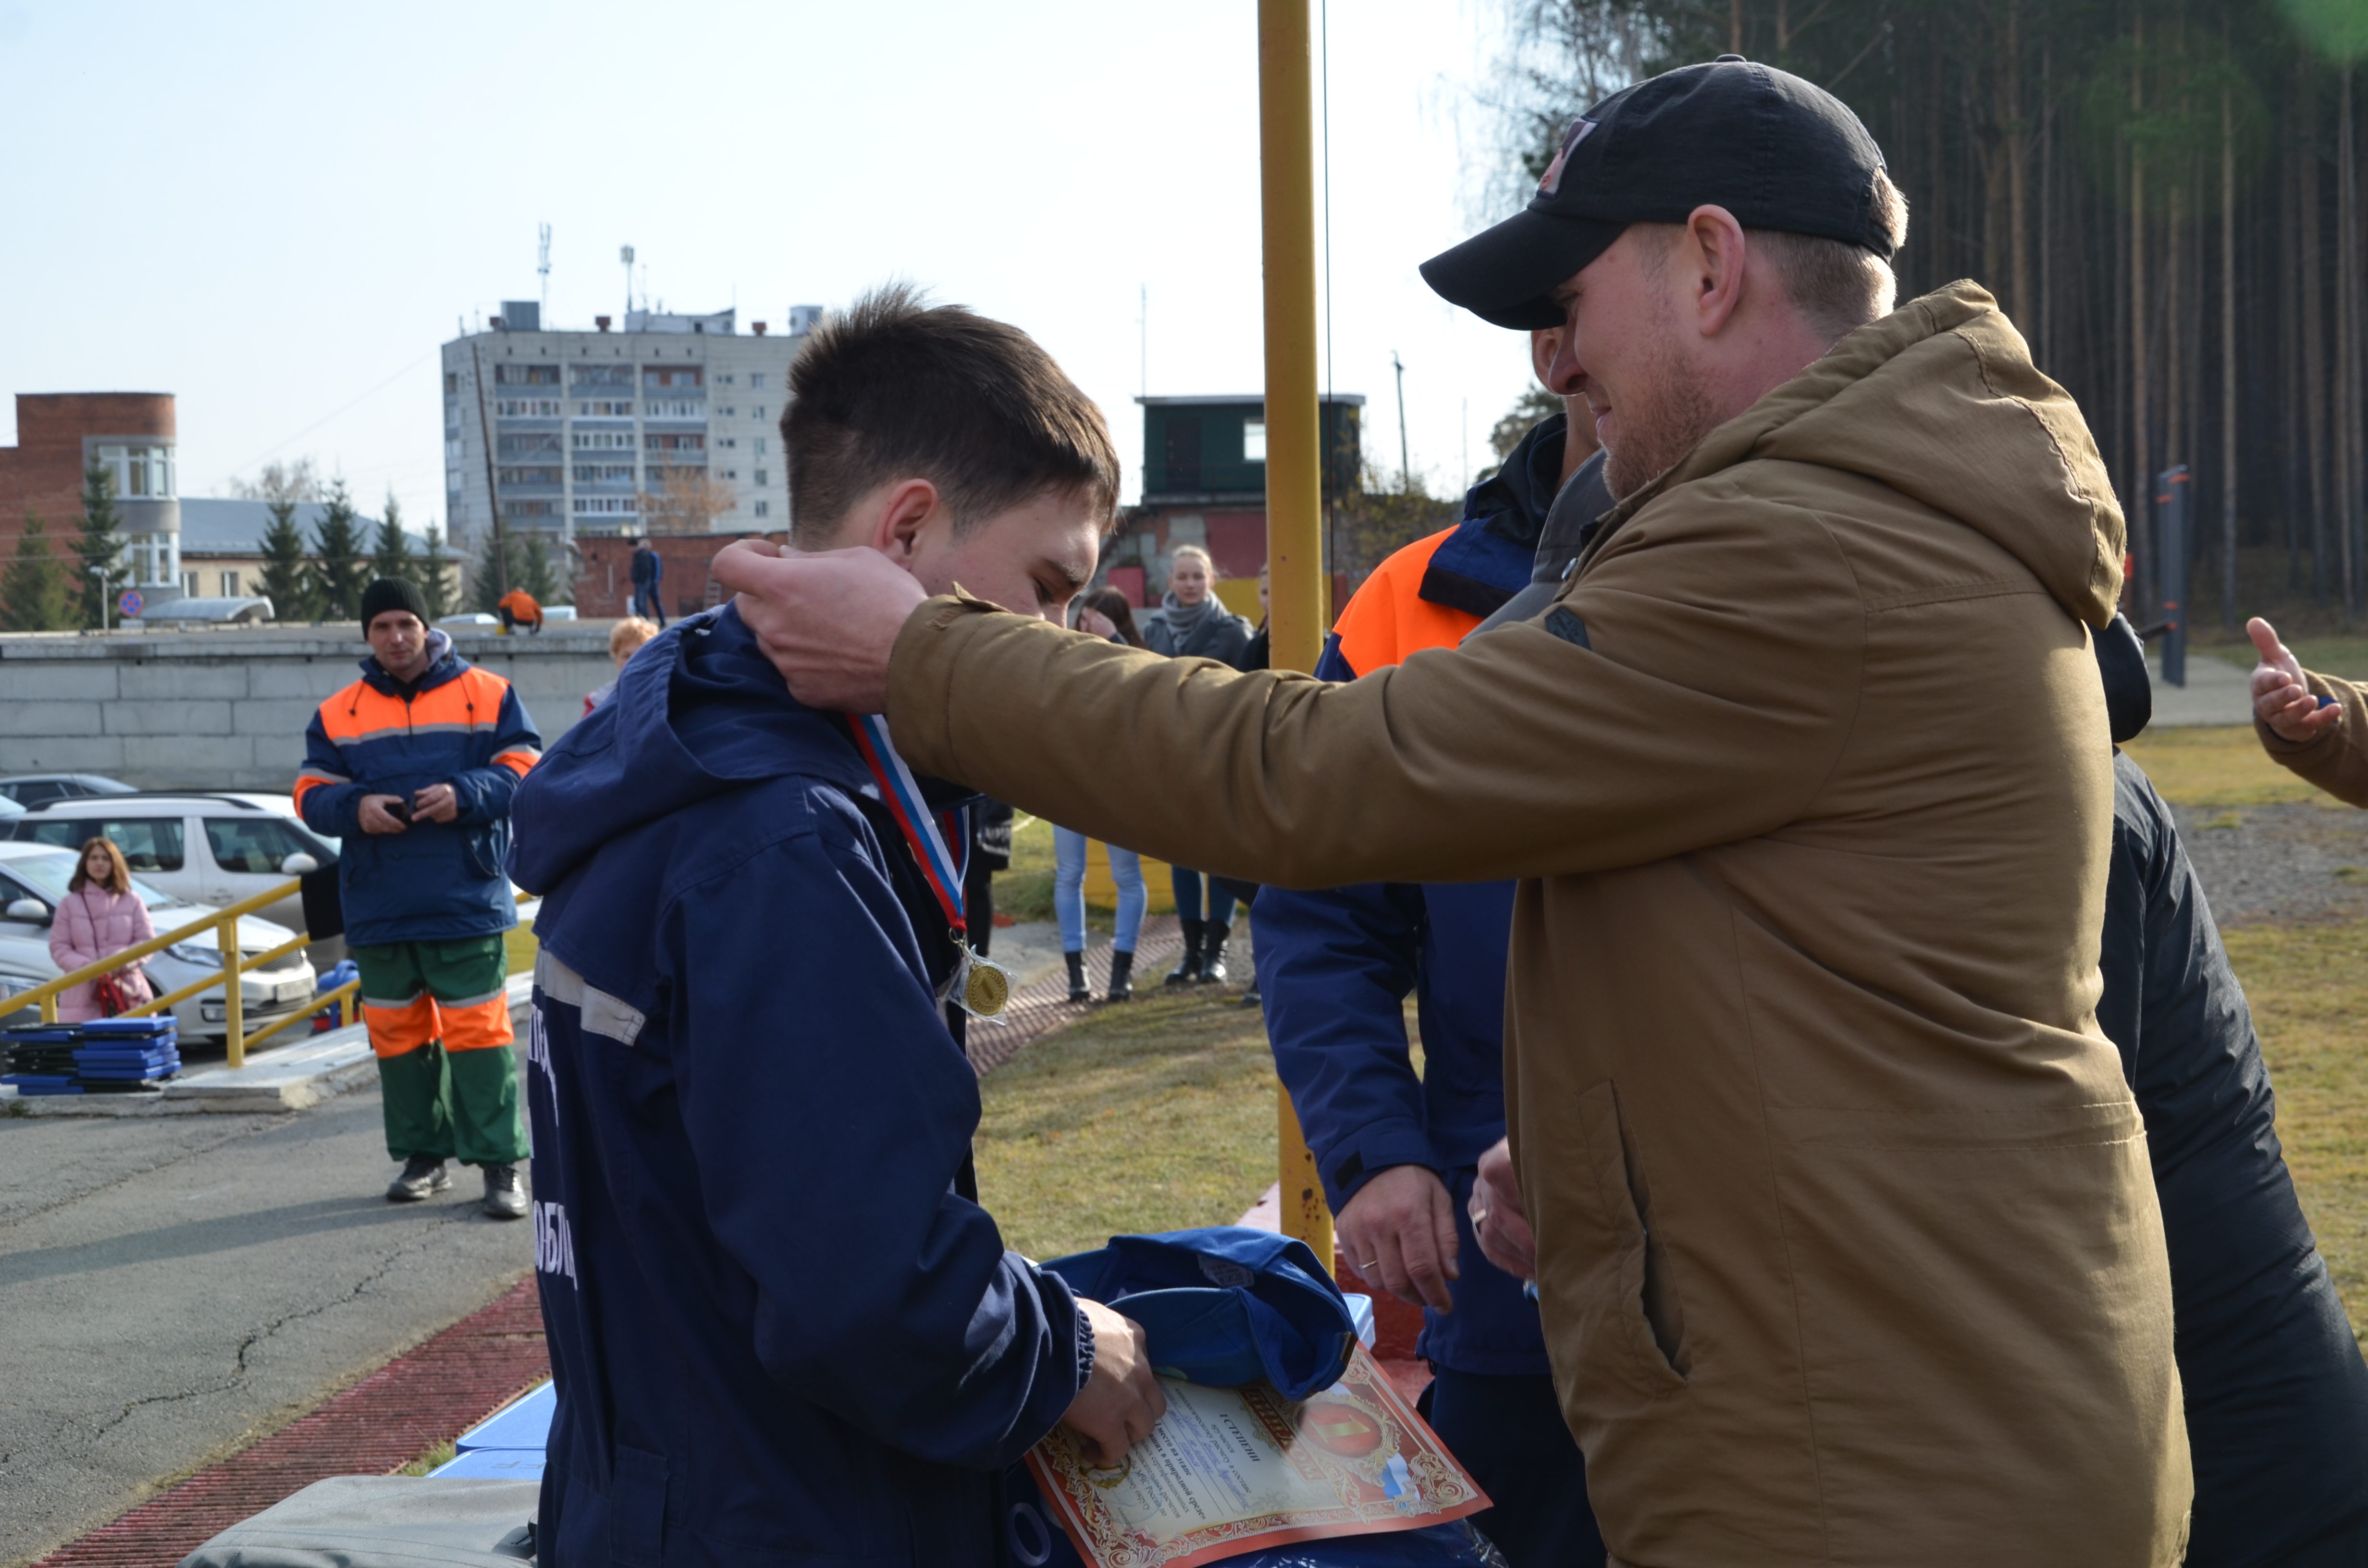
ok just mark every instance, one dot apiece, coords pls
pixel 207 849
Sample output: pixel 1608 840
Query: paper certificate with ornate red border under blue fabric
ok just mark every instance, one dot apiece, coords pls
pixel 1235 1470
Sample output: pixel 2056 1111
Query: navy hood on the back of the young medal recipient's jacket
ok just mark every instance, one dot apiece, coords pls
pixel 697 712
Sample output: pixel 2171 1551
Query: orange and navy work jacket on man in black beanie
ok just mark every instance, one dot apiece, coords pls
pixel 456 726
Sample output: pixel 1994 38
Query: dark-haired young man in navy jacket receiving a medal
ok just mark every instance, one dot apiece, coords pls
pixel 780 1320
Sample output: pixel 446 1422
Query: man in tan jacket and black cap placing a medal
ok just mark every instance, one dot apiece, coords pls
pixel 1846 1233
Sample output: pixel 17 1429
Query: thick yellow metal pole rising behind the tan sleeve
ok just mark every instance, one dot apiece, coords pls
pixel 1287 186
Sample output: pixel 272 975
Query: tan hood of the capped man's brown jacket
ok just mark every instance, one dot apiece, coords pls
pixel 1943 404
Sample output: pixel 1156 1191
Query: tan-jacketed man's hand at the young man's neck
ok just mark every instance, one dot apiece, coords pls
pixel 828 619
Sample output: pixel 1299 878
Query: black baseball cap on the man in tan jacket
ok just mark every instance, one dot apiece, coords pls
pixel 1770 148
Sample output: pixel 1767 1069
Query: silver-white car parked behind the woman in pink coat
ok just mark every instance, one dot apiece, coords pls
pixel 34 880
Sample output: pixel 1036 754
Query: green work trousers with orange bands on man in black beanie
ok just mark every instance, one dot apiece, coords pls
pixel 449 1074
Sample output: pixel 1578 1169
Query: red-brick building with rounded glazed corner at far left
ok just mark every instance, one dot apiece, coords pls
pixel 58 437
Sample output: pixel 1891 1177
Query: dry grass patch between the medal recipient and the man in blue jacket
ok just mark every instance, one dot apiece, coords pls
pixel 1145 1117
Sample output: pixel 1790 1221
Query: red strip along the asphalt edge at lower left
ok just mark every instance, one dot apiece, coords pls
pixel 401 1410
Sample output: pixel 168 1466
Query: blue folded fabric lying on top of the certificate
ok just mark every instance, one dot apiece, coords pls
pixel 1225 1306
